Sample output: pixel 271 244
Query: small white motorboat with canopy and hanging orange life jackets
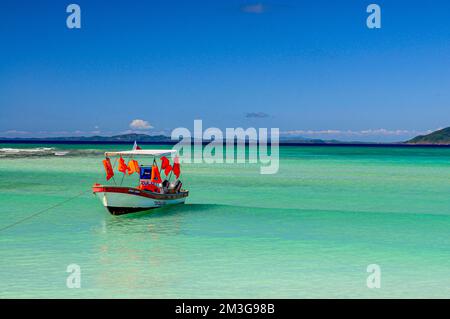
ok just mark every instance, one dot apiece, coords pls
pixel 152 191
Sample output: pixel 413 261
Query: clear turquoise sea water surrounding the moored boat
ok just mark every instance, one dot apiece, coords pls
pixel 309 231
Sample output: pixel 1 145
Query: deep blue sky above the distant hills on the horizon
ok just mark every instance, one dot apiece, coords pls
pixel 311 68
